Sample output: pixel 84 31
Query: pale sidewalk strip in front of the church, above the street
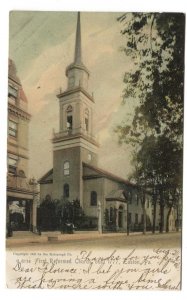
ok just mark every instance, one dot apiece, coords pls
pixel 23 237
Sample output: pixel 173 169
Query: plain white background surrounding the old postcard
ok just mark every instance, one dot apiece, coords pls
pixel 74 5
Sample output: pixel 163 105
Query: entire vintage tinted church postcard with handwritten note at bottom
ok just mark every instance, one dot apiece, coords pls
pixel 95 150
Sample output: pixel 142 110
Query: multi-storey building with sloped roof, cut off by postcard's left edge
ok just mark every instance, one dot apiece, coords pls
pixel 20 191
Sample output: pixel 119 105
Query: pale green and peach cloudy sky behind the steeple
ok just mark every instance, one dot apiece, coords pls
pixel 42 46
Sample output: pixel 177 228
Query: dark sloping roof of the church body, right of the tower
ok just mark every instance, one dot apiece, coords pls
pixel 105 174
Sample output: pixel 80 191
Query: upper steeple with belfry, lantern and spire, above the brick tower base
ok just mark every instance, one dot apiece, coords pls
pixel 76 104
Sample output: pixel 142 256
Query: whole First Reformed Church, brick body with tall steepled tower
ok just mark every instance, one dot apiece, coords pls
pixel 75 173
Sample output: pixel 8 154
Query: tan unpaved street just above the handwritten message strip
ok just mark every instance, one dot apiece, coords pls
pixel 148 241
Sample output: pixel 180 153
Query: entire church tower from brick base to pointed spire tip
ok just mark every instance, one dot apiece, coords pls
pixel 74 143
